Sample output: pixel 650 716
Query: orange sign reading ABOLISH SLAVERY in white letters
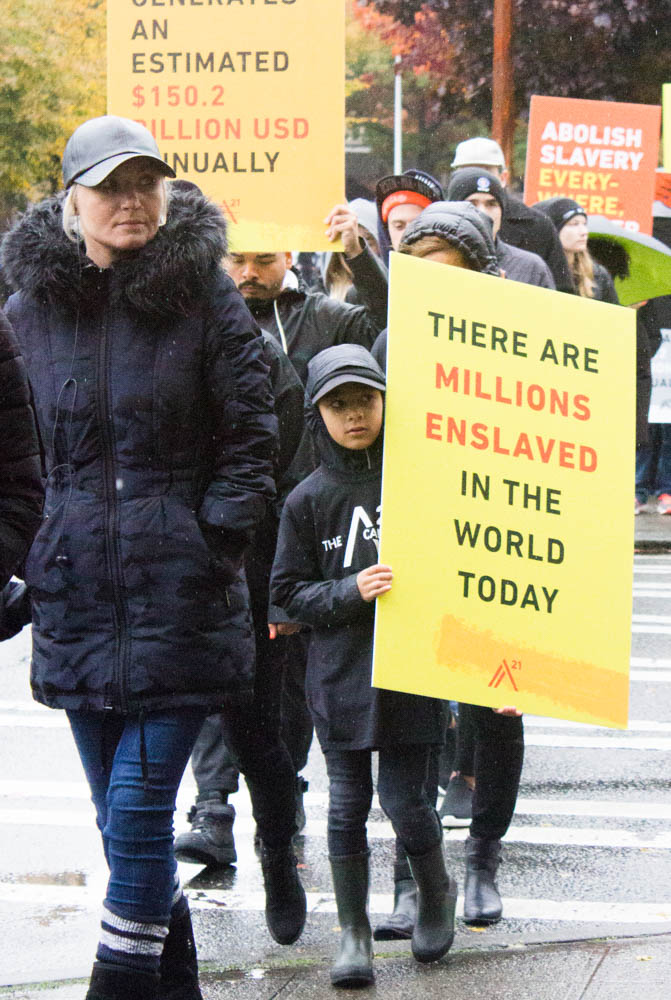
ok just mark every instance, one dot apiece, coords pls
pixel 602 154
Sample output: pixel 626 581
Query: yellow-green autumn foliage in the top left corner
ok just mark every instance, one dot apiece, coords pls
pixel 52 76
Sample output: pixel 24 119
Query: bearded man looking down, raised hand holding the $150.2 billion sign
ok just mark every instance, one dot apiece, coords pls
pixel 301 322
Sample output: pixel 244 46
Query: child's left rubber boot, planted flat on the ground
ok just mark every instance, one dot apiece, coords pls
pixel 353 966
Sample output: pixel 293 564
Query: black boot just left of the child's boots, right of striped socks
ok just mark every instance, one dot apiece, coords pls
pixel 286 905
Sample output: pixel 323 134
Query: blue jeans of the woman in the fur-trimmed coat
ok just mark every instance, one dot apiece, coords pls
pixel 135 801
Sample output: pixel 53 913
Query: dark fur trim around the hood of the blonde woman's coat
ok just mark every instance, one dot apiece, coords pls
pixel 163 278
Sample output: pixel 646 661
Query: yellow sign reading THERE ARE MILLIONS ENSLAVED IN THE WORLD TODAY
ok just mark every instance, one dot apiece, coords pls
pixel 507 495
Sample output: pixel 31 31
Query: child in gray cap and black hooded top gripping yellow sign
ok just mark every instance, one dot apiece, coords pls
pixel 326 575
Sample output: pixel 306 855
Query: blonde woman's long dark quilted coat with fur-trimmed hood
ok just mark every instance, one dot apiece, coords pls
pixel 155 411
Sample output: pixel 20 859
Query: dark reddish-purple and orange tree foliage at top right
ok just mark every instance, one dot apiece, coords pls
pixel 597 49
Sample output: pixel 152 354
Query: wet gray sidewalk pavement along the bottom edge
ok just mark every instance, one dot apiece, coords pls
pixel 605 969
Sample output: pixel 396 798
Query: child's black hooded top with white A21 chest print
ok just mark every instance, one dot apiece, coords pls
pixel 328 534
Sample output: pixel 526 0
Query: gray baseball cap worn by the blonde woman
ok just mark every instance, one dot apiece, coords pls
pixel 100 145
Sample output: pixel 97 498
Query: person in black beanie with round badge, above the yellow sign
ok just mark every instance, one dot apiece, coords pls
pixel 484 190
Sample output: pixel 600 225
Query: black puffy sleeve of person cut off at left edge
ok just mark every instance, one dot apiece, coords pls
pixel 20 478
